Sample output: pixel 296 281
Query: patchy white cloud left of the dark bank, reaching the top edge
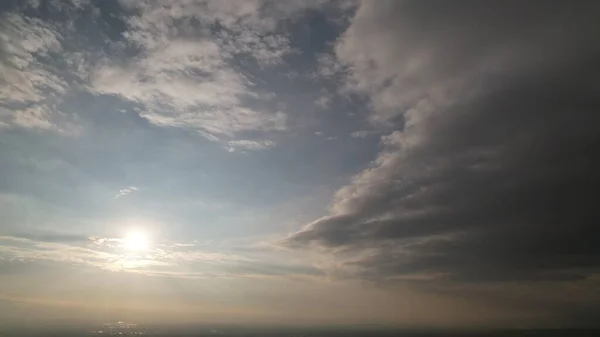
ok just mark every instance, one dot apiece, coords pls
pixel 184 76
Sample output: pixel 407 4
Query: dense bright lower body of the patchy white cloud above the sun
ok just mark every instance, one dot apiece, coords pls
pixel 186 84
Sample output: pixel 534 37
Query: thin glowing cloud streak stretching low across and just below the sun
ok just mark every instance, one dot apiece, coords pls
pixel 164 259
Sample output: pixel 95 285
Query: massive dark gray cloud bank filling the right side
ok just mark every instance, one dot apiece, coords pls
pixel 494 171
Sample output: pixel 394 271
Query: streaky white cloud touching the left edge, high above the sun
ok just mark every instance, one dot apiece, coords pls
pixel 29 84
